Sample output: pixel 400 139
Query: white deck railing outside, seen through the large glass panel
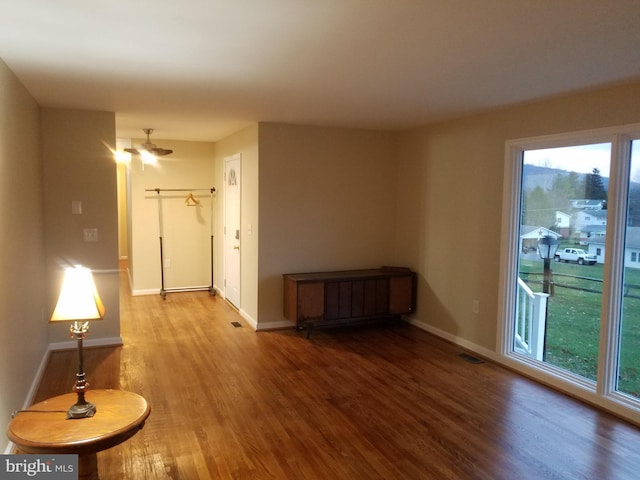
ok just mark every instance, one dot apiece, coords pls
pixel 531 309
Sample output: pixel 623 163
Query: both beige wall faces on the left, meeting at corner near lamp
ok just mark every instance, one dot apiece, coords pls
pixel 48 158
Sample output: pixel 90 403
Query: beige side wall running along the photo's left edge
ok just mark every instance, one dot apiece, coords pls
pixel 23 308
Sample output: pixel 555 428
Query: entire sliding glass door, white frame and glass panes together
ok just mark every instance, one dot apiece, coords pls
pixel 571 262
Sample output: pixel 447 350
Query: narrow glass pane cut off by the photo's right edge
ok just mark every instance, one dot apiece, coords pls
pixel 629 353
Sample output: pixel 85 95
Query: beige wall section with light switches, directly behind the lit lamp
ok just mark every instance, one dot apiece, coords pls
pixel 78 164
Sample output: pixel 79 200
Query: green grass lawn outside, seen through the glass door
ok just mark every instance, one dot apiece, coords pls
pixel 573 323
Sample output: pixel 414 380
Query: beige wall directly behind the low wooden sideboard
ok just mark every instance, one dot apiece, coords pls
pixel 327 202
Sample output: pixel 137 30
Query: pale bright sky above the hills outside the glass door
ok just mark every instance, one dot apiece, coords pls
pixel 582 159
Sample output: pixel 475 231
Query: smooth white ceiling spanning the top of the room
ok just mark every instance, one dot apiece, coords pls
pixel 203 69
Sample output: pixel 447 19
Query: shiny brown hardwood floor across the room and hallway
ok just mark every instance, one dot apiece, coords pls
pixel 362 403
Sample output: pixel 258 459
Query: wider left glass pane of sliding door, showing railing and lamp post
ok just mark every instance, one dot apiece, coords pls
pixel 564 203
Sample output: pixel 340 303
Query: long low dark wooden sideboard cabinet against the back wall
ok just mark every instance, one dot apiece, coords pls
pixel 333 298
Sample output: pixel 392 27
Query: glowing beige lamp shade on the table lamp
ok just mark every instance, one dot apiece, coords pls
pixel 79 298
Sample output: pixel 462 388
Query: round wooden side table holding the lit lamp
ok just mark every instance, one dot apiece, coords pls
pixel 44 427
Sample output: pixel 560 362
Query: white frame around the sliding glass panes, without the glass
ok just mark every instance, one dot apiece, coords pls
pixel 602 392
